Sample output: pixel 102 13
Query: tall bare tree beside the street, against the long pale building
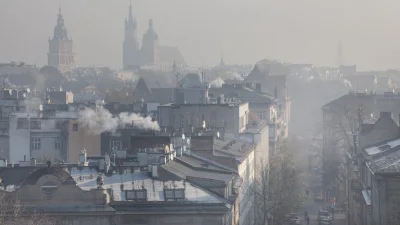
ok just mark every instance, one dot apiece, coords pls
pixel 277 188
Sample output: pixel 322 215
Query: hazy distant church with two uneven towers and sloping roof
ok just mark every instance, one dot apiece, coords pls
pixel 150 53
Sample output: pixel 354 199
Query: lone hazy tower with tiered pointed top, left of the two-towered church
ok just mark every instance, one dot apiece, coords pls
pixel 60 53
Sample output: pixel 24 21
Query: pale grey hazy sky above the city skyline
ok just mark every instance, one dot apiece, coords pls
pixel 303 31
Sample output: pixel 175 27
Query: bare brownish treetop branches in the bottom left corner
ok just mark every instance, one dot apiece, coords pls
pixel 14 213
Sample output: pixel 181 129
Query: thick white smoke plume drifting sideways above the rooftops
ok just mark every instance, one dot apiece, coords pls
pixel 101 120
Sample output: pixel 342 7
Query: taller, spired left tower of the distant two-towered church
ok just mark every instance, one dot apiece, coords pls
pixel 130 45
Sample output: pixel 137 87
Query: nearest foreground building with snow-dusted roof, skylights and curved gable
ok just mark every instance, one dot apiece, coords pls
pixel 151 187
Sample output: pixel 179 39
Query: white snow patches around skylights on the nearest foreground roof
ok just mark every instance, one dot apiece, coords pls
pixel 86 179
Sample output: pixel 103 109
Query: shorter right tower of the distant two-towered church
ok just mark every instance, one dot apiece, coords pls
pixel 149 51
